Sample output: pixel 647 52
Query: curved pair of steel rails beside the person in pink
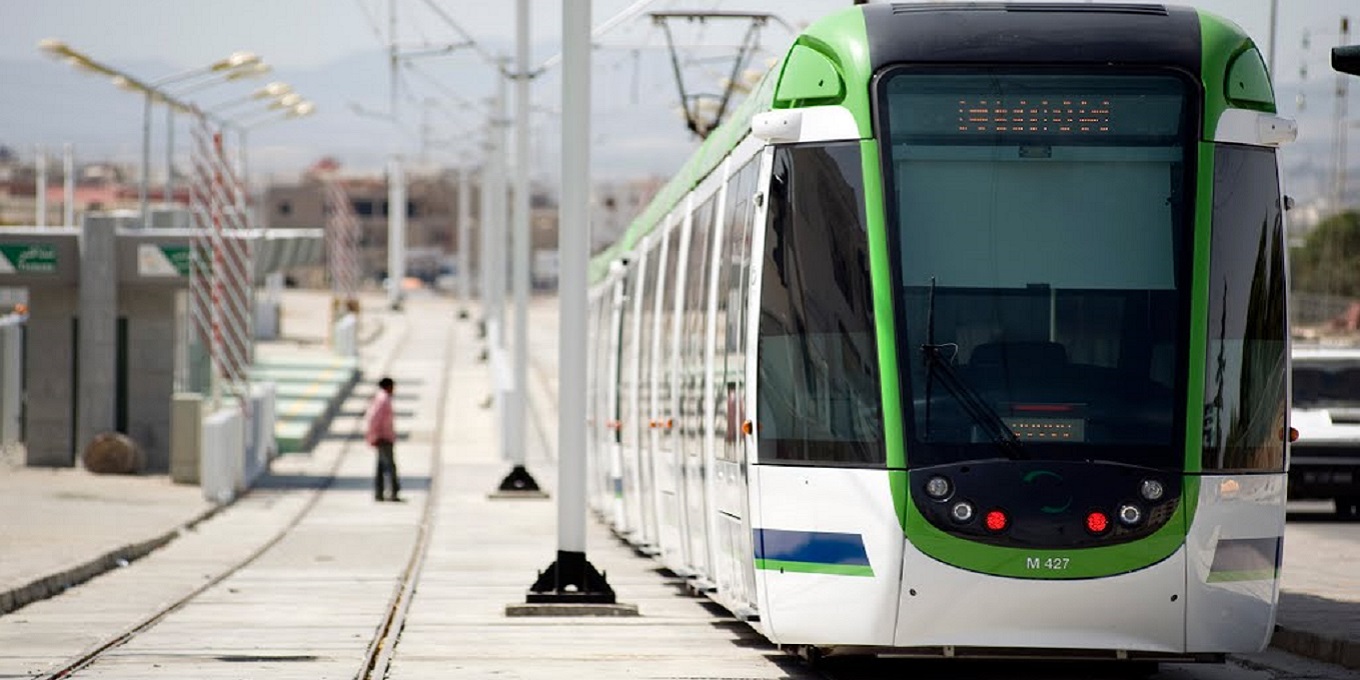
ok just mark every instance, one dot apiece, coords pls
pixel 379 653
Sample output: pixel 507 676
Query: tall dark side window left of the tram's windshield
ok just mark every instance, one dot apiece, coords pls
pixel 819 399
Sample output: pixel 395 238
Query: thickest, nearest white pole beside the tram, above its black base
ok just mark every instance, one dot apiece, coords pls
pixel 573 239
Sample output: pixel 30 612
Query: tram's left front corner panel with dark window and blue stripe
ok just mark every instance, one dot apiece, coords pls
pixel 826 528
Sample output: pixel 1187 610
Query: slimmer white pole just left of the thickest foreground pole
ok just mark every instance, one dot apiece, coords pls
pixel 516 414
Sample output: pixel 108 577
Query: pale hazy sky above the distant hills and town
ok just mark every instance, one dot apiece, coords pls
pixel 444 97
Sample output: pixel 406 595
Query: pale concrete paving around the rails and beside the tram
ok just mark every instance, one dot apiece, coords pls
pixel 61 527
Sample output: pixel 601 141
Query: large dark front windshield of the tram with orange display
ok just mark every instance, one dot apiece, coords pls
pixel 1040 240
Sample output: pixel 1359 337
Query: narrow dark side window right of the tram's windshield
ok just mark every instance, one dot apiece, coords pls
pixel 1248 361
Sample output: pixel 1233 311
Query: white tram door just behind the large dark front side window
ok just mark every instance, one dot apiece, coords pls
pixel 731 473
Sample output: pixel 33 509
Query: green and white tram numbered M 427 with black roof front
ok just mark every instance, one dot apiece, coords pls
pixel 966 335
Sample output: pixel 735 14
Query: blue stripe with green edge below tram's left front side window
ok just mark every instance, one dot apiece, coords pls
pixel 814 553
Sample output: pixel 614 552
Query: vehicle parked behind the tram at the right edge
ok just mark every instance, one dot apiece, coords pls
pixel 1325 460
